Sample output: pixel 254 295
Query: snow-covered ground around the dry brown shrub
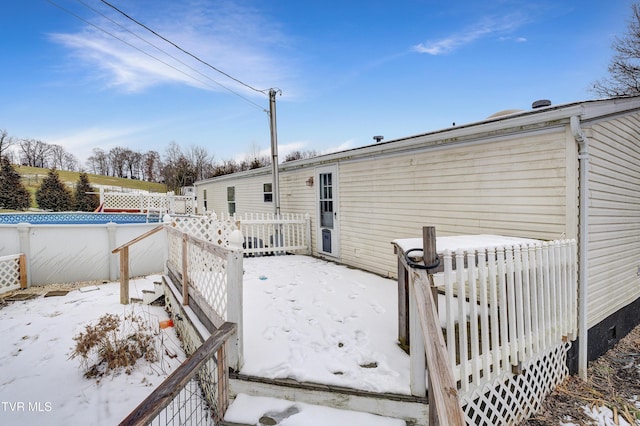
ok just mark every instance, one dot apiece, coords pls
pixel 39 384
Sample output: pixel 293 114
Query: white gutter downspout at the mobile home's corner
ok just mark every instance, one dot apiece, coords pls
pixel 583 216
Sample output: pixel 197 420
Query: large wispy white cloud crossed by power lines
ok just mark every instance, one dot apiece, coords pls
pixel 233 39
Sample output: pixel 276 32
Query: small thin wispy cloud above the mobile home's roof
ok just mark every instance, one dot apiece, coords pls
pixel 487 27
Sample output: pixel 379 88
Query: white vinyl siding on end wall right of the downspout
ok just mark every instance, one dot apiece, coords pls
pixel 614 216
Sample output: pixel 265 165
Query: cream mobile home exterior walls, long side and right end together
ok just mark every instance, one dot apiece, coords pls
pixel 514 175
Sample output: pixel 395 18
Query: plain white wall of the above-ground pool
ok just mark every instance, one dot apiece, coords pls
pixel 71 253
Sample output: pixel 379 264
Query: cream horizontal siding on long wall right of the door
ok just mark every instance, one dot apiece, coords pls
pixel 514 187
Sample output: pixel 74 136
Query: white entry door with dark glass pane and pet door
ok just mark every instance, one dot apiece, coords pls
pixel 328 227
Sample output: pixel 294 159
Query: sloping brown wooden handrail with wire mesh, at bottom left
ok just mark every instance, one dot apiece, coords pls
pixel 196 393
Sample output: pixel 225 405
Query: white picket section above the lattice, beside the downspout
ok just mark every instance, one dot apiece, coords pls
pixel 519 302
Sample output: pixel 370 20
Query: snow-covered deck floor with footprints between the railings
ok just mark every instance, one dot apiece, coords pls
pixel 314 321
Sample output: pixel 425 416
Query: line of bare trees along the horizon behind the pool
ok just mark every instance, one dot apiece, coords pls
pixel 177 168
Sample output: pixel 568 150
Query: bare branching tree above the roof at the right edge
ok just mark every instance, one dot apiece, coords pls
pixel 624 68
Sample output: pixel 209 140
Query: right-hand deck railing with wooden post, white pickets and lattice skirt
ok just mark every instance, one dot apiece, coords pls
pixel 508 313
